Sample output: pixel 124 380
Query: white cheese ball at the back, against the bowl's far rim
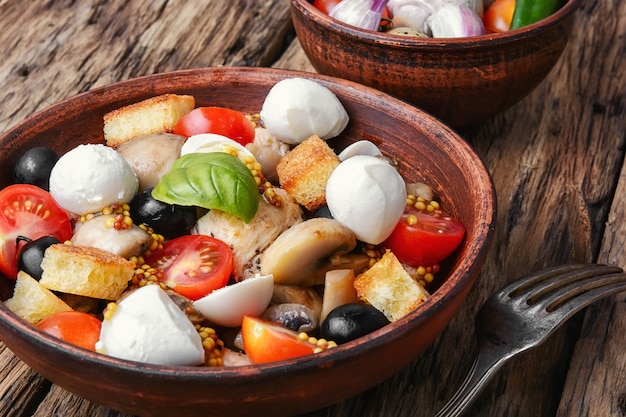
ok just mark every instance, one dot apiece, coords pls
pixel 296 108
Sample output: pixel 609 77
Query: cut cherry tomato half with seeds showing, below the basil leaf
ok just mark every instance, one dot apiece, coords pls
pixel 193 265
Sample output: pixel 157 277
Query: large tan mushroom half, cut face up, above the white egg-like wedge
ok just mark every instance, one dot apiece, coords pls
pixel 301 255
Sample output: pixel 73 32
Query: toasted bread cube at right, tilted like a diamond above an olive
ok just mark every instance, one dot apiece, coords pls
pixel 389 288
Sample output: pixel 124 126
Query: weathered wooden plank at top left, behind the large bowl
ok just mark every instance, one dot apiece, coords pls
pixel 77 46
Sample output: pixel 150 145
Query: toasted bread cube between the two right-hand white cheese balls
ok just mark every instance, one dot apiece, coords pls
pixel 304 172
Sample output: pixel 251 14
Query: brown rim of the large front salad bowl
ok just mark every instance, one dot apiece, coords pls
pixel 450 289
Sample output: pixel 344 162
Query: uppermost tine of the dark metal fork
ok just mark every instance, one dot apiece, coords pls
pixel 537 284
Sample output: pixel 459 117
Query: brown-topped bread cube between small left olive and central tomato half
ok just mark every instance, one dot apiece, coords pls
pixel 85 271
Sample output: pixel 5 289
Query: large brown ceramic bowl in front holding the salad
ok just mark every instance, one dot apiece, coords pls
pixel 427 151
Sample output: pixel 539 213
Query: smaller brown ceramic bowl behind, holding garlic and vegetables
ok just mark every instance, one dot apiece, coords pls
pixel 462 81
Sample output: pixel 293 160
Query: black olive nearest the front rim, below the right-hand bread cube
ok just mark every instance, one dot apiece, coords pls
pixel 350 321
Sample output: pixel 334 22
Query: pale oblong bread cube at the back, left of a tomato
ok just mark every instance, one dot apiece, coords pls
pixel 155 115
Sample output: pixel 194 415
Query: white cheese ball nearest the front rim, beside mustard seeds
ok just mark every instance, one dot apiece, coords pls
pixel 149 327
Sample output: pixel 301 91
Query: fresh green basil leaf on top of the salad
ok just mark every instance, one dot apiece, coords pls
pixel 214 180
